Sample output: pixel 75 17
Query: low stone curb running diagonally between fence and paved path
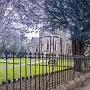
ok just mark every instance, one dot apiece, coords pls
pixel 71 85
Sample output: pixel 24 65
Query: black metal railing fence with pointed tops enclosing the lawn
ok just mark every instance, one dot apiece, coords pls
pixel 37 71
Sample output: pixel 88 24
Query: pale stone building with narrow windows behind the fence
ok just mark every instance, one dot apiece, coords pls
pixel 49 43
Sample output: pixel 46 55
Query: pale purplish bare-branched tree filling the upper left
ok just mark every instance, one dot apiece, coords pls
pixel 16 16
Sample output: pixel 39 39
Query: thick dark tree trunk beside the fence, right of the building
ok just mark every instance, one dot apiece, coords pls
pixel 77 50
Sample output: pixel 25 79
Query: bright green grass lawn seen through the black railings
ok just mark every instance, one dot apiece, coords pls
pixel 34 69
